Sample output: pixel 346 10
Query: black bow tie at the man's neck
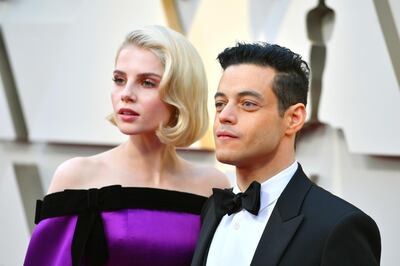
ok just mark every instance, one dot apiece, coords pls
pixel 227 202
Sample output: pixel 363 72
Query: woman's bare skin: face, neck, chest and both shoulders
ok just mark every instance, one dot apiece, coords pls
pixel 142 161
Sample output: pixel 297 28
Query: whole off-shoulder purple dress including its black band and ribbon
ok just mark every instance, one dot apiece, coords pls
pixel 115 225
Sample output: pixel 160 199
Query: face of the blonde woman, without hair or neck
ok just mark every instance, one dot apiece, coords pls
pixel 135 96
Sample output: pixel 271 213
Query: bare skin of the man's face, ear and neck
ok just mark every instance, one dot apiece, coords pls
pixel 249 132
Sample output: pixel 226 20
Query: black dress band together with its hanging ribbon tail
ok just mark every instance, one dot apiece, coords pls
pixel 89 243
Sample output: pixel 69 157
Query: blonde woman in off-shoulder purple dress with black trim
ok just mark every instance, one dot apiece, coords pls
pixel 151 217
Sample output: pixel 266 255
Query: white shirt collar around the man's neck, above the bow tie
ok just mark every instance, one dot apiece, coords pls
pixel 272 188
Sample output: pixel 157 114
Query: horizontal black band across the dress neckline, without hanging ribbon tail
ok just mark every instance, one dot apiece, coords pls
pixel 116 197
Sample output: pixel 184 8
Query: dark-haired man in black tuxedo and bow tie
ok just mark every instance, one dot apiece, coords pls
pixel 260 107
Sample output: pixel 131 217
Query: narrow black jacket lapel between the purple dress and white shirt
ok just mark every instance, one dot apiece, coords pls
pixel 210 224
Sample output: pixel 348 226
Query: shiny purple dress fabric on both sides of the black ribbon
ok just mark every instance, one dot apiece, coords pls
pixel 134 237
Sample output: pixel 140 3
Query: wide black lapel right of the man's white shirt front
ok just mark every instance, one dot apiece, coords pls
pixel 284 221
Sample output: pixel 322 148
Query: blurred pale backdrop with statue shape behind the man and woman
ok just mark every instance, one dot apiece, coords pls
pixel 56 63
